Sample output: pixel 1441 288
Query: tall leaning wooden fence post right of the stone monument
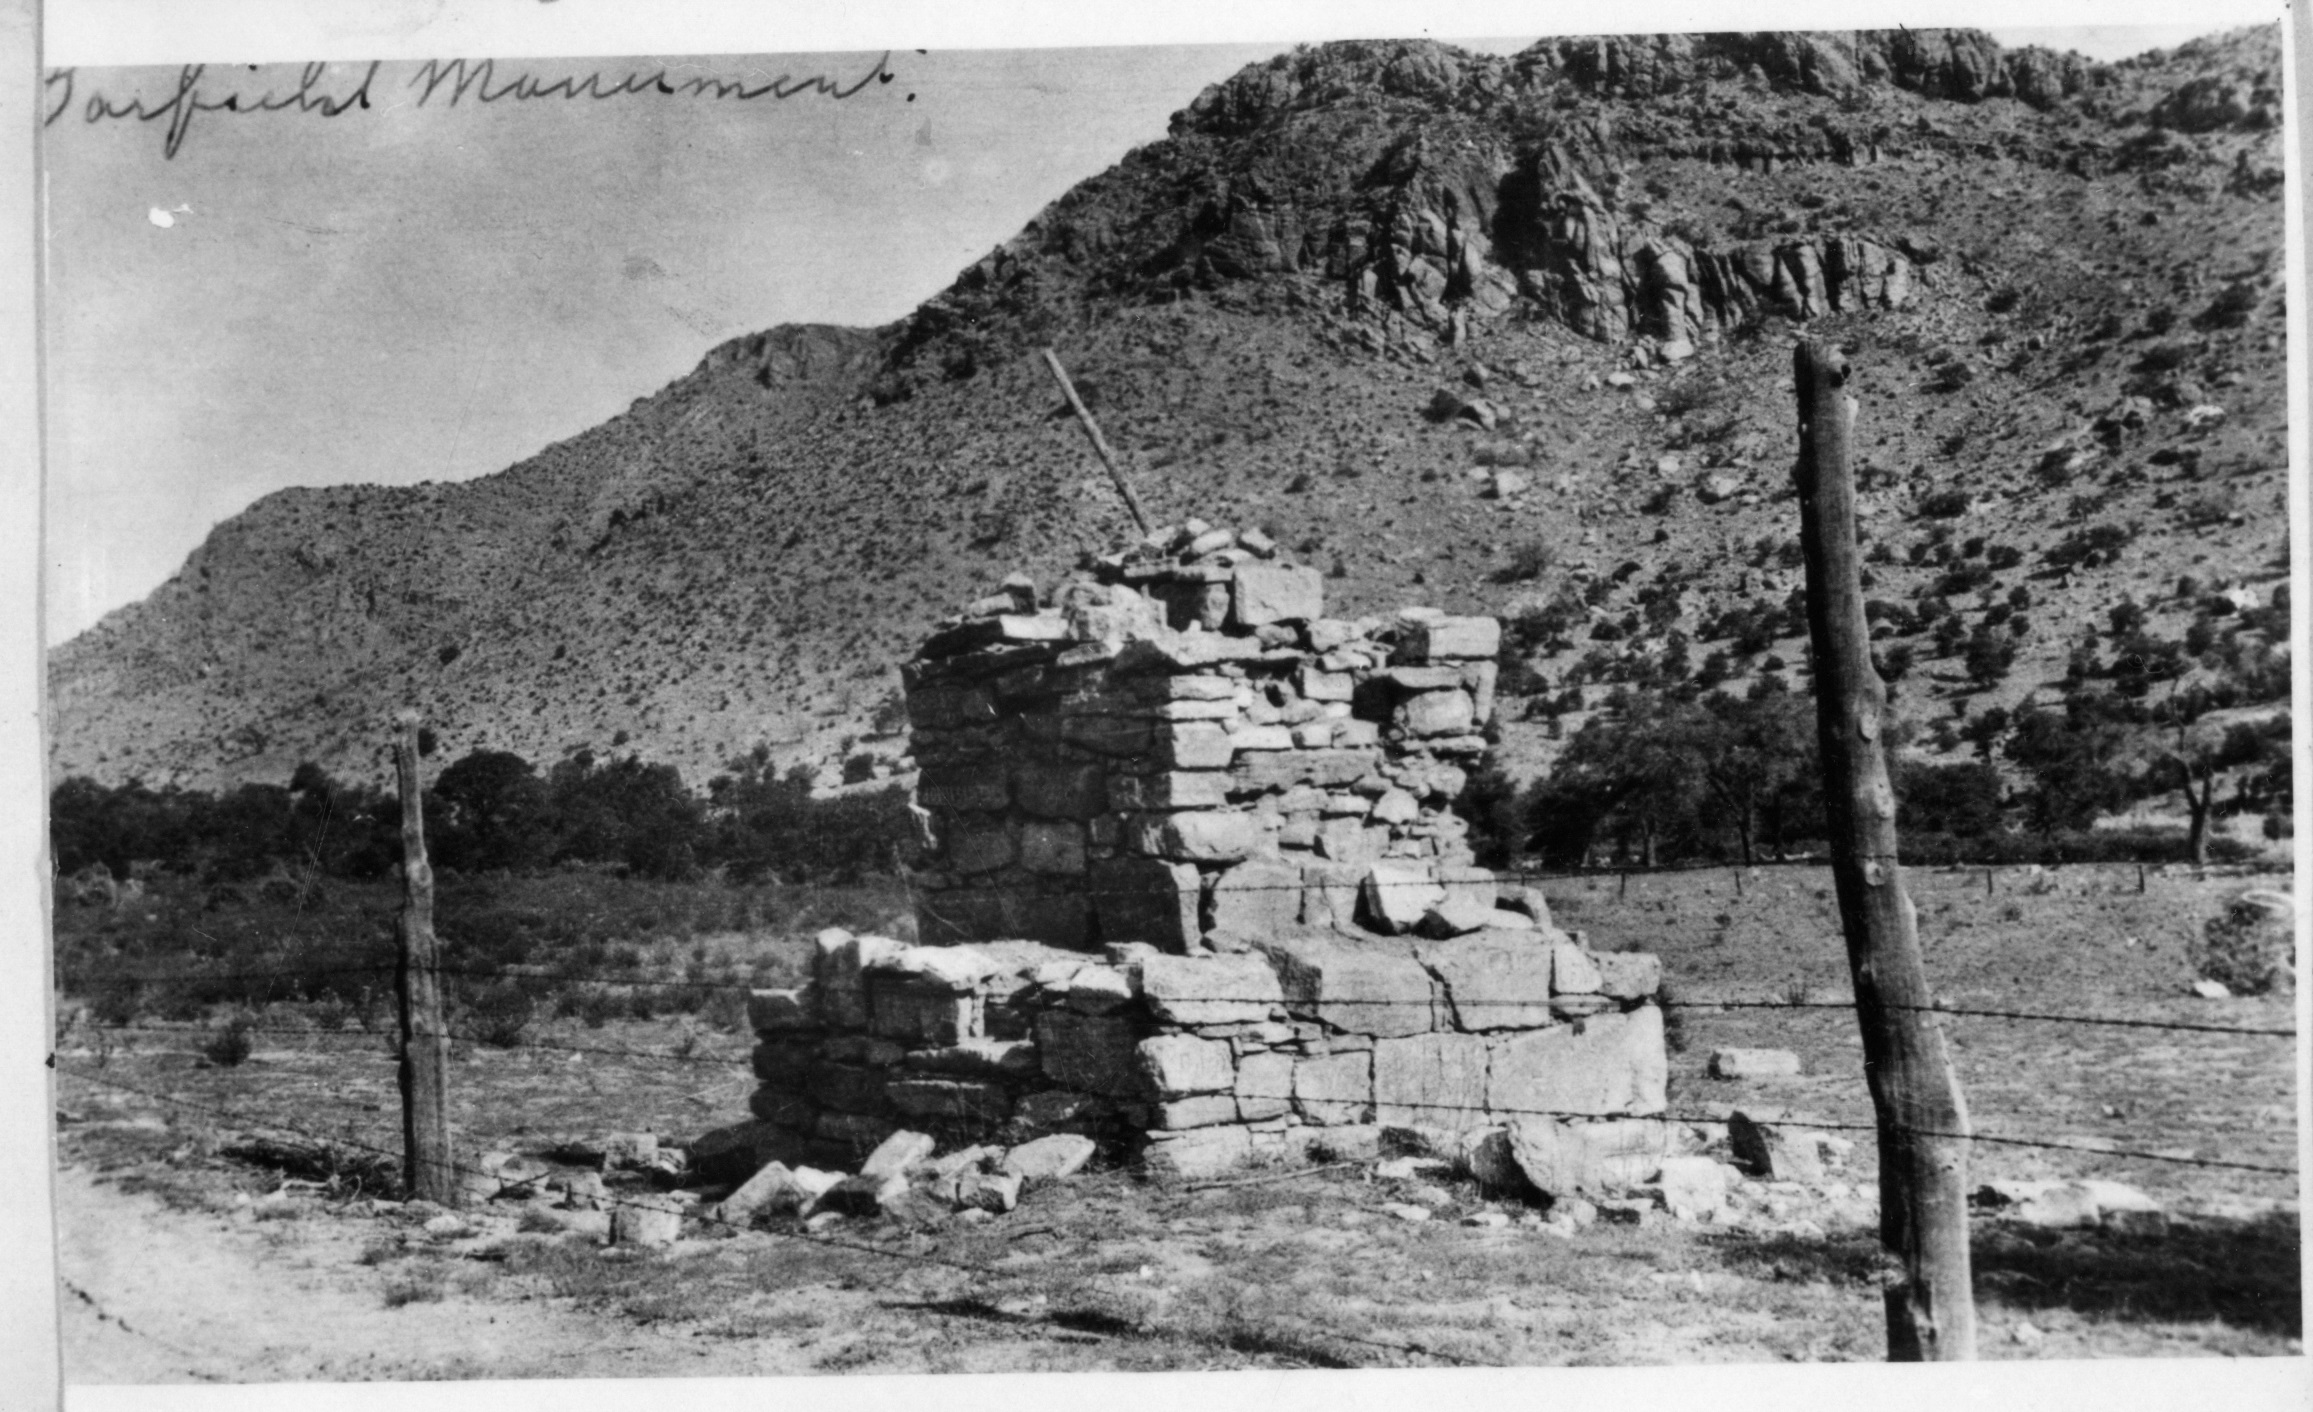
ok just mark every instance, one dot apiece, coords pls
pixel 1921 1117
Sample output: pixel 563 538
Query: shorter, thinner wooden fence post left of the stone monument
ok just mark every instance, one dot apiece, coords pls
pixel 424 1071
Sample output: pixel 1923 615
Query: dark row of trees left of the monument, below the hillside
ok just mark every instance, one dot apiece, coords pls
pixel 494 811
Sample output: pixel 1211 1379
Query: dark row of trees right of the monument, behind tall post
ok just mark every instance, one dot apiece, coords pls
pixel 1687 777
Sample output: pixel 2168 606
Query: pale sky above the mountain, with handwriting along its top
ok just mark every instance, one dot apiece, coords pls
pixel 438 291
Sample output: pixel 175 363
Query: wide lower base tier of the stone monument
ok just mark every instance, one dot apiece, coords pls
pixel 1310 1043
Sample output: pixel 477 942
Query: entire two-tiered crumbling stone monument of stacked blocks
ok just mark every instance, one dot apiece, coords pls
pixel 1197 890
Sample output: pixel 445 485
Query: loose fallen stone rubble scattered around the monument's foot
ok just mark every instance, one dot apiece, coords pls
pixel 1528 1175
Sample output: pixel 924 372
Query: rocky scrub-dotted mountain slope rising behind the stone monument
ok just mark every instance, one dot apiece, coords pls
pixel 1521 321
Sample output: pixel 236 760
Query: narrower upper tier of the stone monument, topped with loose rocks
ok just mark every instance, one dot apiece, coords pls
pixel 1181 749
